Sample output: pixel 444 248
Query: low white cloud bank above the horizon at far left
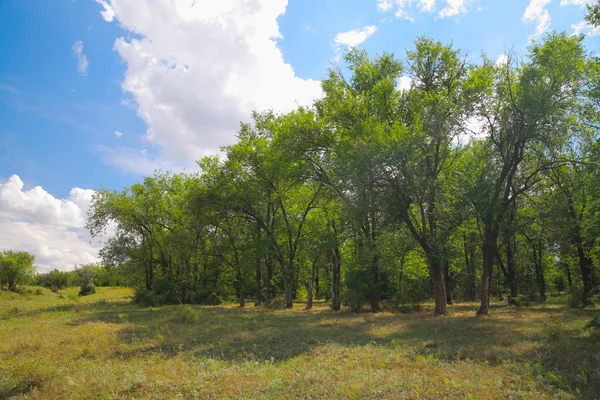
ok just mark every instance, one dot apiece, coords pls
pixel 52 229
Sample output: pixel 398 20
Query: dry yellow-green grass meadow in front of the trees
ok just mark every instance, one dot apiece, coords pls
pixel 103 347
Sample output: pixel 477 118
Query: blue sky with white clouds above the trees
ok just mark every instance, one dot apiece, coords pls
pixel 99 93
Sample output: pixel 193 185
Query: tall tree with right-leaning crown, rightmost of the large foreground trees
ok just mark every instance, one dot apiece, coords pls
pixel 526 115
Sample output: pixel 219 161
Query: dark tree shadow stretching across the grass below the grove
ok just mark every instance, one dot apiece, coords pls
pixel 527 338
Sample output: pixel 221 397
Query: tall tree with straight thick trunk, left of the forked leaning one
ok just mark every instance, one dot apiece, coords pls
pixel 422 161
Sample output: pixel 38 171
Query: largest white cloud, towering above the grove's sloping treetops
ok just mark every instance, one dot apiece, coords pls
pixel 196 69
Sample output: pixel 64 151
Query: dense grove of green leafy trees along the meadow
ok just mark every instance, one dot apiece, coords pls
pixel 479 180
